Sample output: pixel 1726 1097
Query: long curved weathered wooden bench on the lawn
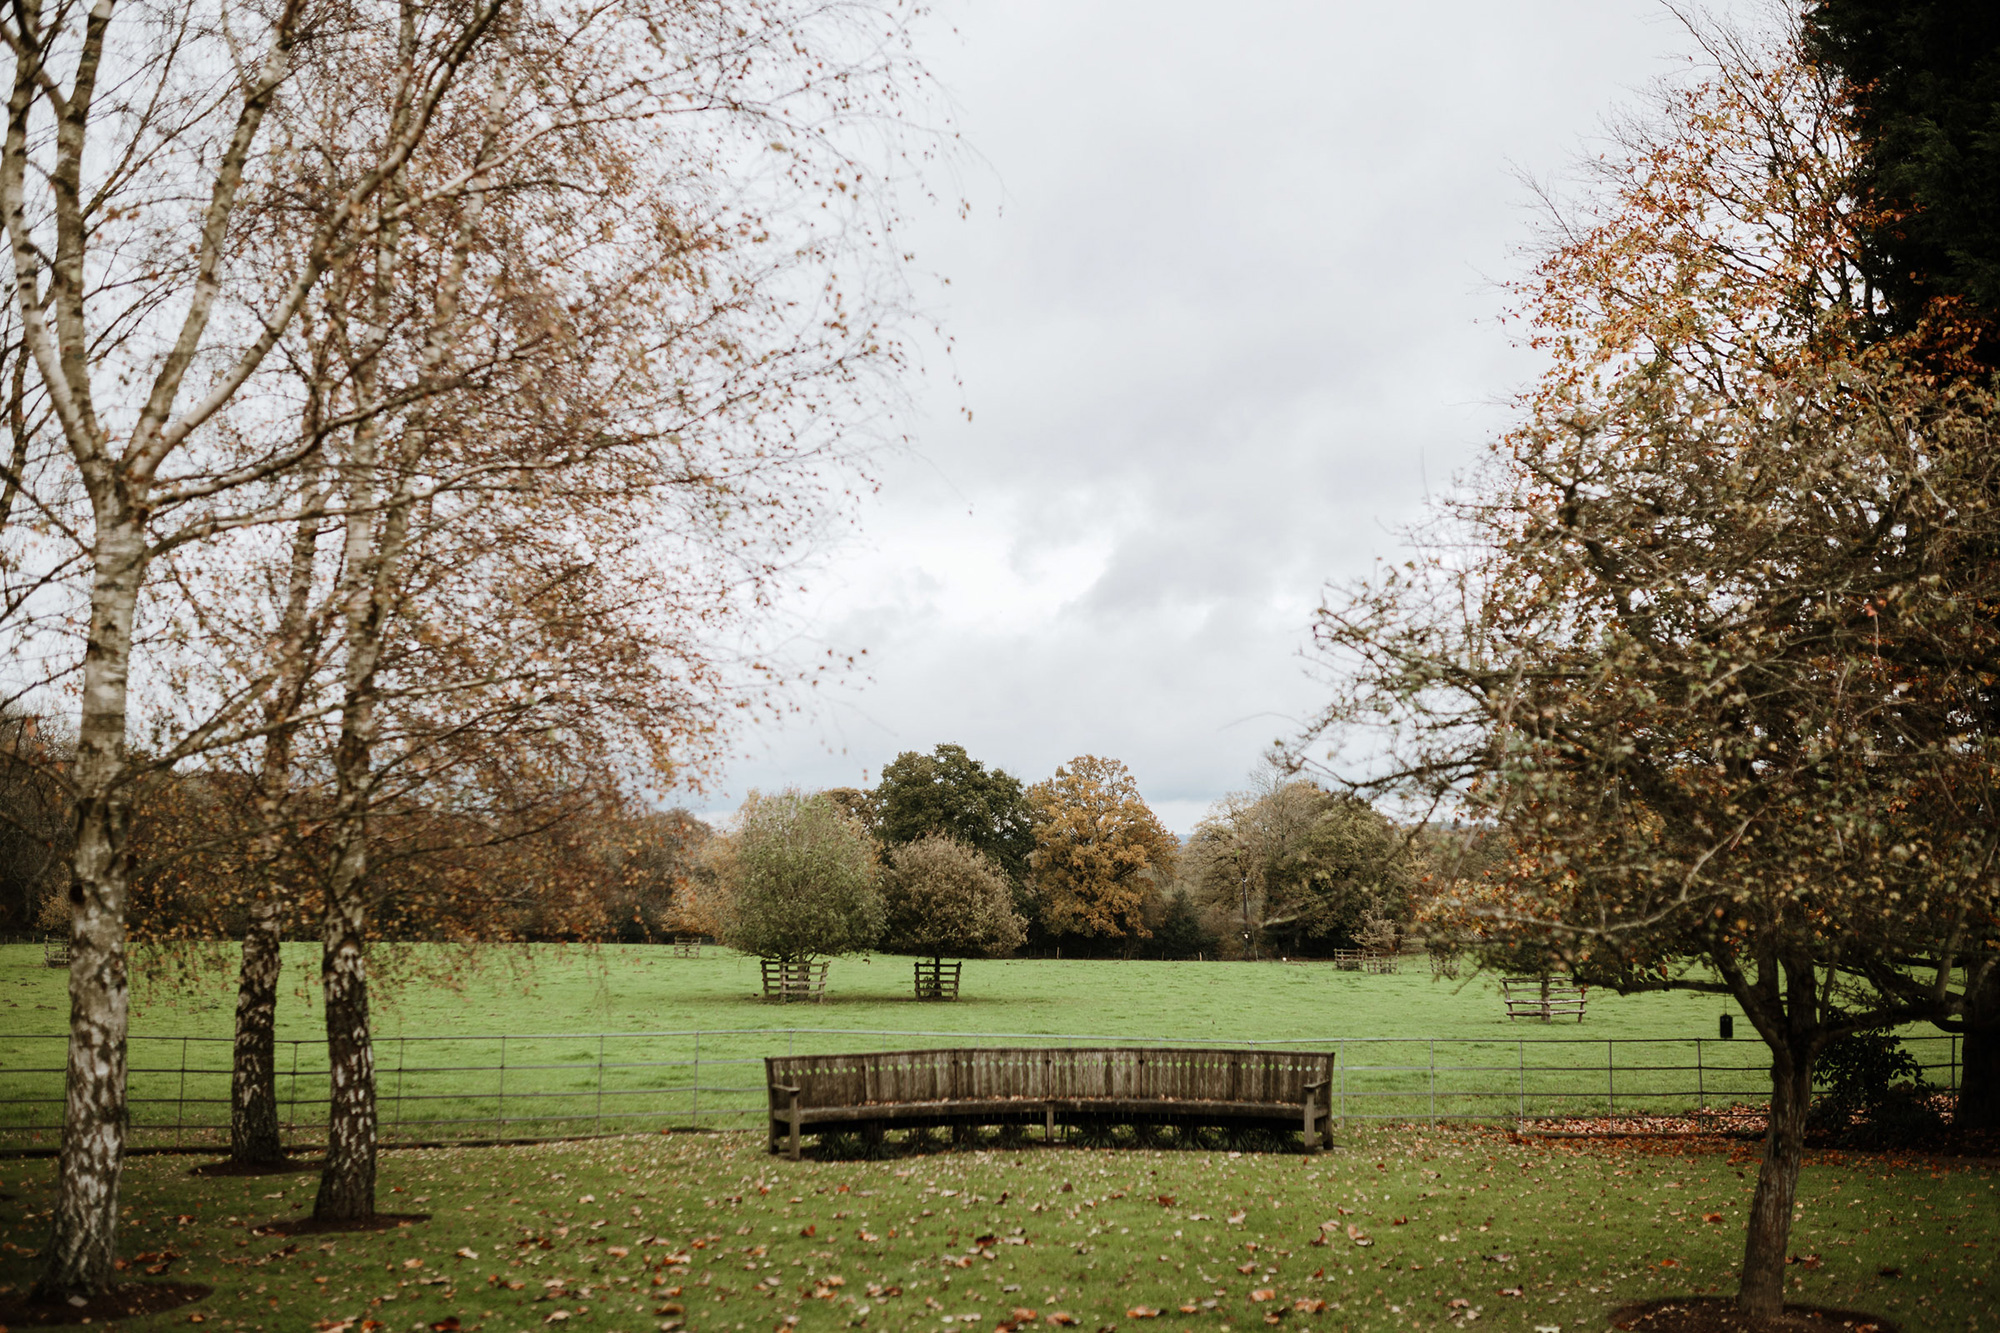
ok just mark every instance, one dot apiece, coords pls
pixel 1055 1086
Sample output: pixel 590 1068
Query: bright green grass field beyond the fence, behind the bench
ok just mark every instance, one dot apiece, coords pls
pixel 1409 1048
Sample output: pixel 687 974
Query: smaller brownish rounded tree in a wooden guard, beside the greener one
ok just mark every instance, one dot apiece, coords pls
pixel 945 898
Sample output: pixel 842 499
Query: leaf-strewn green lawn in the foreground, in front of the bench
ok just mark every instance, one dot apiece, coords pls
pixel 711 1234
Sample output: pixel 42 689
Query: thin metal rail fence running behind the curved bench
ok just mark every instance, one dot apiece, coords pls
pixel 547 1086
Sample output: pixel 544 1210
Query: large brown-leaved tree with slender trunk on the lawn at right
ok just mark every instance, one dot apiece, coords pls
pixel 1705 645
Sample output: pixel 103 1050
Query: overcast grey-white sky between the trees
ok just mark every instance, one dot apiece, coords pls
pixel 1223 311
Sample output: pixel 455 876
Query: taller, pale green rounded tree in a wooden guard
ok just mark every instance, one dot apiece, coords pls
pixel 801 880
